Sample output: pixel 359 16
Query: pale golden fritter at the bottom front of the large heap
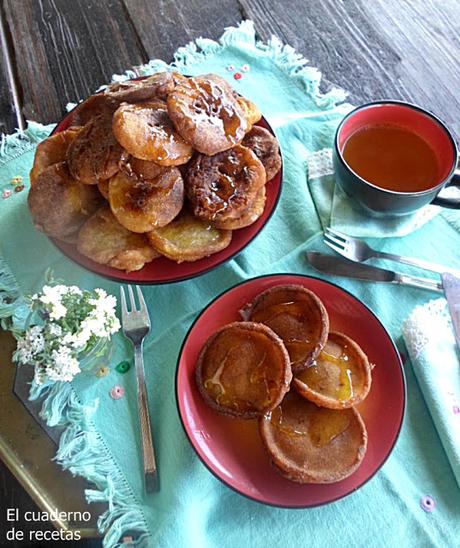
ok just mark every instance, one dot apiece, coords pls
pixel 188 239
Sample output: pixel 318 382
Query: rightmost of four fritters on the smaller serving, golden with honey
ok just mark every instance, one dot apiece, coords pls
pixel 340 376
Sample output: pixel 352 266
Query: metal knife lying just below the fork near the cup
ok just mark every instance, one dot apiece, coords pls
pixel 338 266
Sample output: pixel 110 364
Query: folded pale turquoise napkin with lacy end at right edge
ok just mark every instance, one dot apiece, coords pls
pixel 430 340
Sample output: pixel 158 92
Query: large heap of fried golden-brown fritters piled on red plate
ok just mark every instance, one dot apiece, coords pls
pixel 166 165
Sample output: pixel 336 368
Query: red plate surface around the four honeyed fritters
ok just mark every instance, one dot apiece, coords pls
pixel 231 448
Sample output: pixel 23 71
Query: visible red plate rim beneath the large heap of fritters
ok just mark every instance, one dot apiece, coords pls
pixel 162 270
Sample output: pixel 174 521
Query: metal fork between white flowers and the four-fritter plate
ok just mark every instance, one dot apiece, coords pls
pixel 136 325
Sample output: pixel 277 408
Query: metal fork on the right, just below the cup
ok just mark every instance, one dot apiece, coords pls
pixel 359 251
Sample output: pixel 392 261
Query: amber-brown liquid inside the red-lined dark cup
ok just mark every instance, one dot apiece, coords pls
pixel 392 158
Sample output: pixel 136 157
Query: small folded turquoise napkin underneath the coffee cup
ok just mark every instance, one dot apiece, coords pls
pixel 336 210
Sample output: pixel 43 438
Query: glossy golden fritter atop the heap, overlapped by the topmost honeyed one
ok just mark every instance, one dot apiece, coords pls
pixel 146 132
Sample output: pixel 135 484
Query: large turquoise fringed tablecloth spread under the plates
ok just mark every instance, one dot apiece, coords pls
pixel 193 508
